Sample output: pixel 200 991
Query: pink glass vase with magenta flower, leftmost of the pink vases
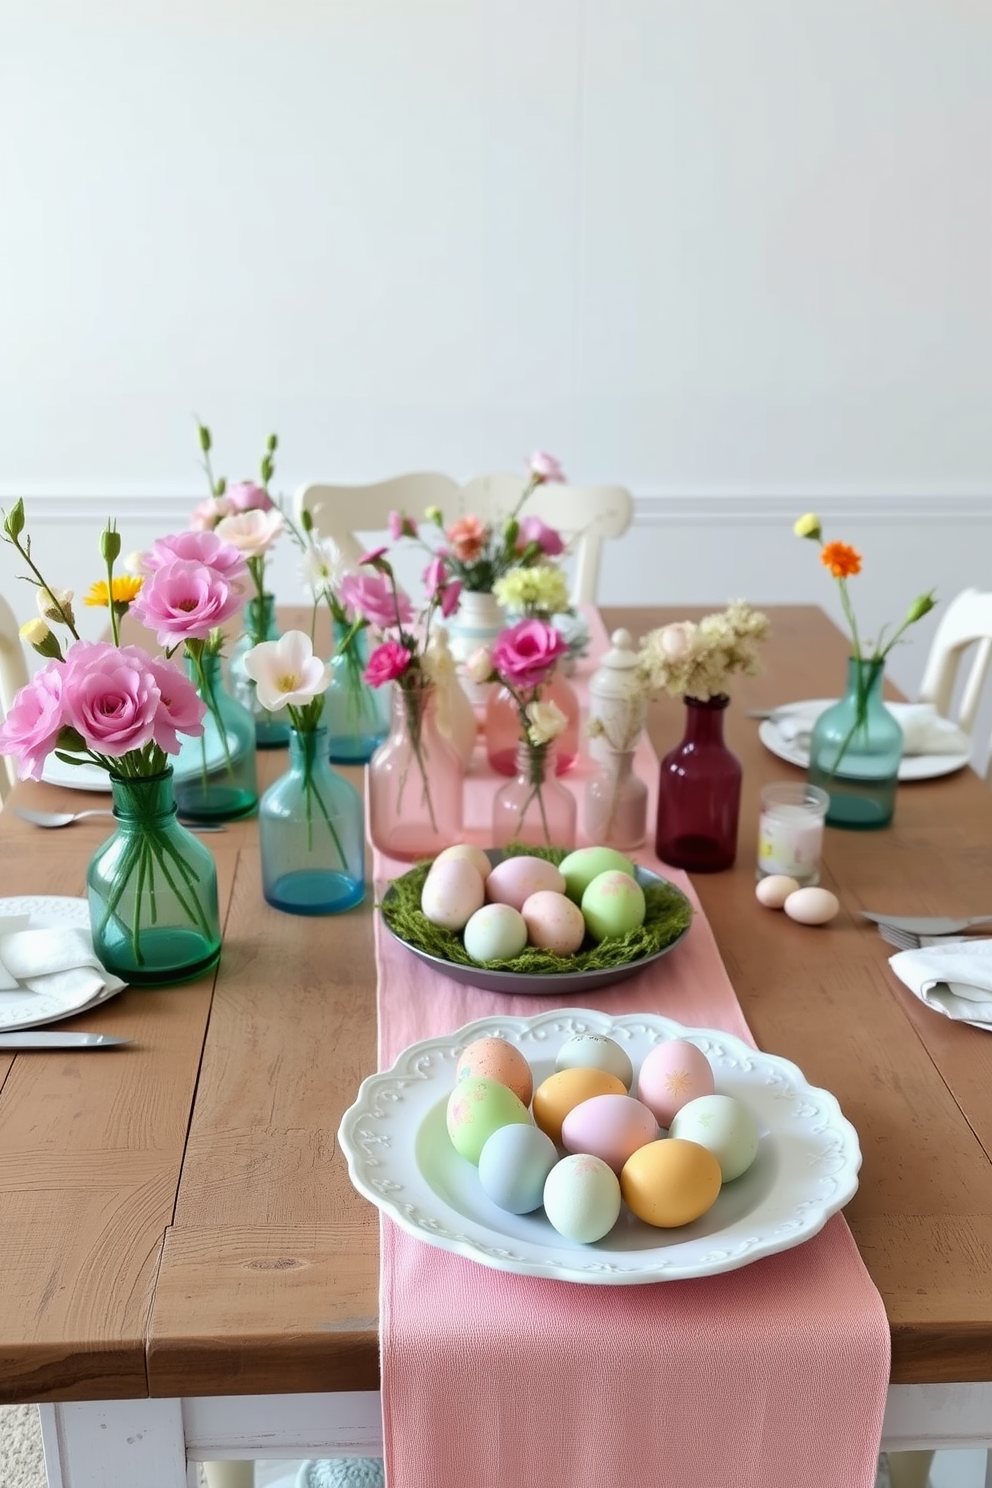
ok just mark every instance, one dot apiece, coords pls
pixel 416 780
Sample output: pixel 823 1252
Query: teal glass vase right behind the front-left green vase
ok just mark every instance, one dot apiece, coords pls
pixel 216 776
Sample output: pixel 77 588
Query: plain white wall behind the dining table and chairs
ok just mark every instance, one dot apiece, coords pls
pixel 735 257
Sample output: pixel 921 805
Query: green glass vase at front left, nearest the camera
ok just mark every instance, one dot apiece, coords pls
pixel 152 891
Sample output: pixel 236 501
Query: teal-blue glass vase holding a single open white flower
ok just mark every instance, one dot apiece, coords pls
pixel 312 830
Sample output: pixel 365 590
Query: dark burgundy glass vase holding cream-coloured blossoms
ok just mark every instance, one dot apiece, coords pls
pixel 700 794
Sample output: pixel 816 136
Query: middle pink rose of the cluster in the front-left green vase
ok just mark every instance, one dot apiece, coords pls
pixel 111 697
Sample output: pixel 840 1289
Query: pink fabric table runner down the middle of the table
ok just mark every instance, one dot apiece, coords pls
pixel 770 1377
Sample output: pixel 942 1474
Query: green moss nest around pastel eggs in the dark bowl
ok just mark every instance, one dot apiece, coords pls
pixel 667 916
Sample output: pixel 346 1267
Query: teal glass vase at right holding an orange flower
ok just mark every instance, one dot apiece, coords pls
pixel 856 752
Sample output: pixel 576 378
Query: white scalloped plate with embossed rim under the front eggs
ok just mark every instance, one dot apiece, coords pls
pixel 402 1160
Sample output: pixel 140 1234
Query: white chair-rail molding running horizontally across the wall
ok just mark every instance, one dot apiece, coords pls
pixel 172 508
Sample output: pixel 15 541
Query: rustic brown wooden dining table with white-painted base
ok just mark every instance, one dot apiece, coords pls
pixel 188 1271
